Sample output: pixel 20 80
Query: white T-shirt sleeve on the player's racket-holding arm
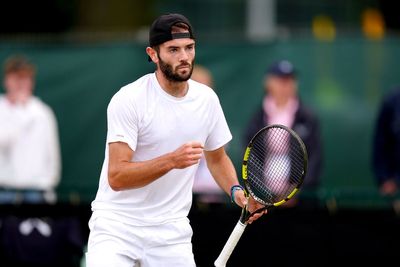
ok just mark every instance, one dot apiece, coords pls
pixel 219 134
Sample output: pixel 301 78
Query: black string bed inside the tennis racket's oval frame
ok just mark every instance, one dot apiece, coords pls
pixel 275 165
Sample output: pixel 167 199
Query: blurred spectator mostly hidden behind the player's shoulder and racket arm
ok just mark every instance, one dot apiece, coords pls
pixel 205 187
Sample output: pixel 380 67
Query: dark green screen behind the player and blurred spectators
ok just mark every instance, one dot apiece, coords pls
pixel 343 81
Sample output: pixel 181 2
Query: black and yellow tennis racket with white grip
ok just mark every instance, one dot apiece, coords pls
pixel 274 167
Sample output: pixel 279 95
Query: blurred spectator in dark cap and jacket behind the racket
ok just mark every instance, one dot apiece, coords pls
pixel 281 105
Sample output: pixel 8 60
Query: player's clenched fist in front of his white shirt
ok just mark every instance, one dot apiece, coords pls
pixel 187 155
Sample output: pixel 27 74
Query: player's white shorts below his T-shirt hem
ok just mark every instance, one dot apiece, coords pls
pixel 112 243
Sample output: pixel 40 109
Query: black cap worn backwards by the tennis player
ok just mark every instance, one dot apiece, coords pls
pixel 160 31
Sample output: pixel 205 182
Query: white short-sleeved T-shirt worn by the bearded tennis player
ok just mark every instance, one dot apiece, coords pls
pixel 154 123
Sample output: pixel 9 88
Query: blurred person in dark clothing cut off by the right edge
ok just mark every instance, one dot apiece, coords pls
pixel 386 149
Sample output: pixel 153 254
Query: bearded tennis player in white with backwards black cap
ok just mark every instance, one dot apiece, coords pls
pixel 158 128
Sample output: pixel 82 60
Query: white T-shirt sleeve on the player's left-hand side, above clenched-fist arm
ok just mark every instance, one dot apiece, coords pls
pixel 122 121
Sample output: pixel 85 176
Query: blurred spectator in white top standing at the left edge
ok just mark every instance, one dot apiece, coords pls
pixel 29 144
